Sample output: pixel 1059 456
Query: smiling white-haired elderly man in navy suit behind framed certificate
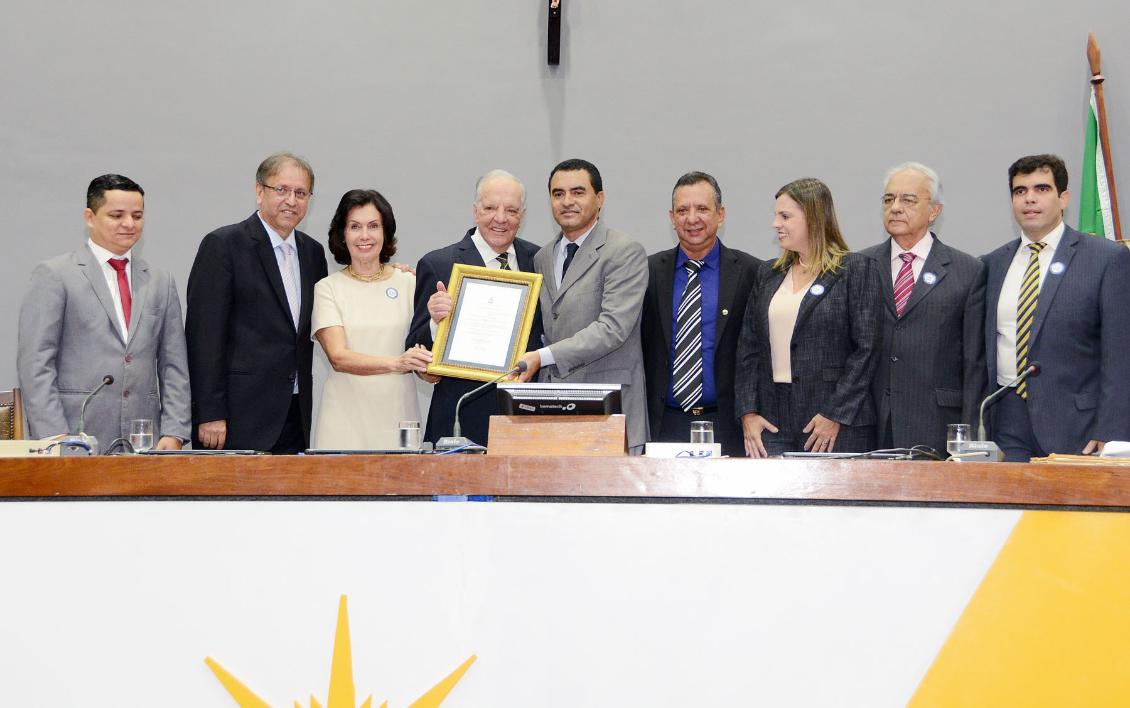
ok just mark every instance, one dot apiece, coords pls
pixel 499 211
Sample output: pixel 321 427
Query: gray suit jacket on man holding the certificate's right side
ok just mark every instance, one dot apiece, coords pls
pixel 593 321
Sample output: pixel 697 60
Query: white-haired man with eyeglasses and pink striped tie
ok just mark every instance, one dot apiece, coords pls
pixel 932 366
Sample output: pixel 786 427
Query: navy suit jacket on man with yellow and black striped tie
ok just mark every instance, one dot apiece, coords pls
pixel 1081 338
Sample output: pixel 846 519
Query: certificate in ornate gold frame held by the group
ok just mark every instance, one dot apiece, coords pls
pixel 490 324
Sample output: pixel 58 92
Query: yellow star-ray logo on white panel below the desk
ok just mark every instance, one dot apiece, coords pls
pixel 342 686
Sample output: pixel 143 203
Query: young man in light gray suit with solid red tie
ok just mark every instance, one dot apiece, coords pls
pixel 102 311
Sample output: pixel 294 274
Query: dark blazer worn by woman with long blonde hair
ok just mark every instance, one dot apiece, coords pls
pixel 835 347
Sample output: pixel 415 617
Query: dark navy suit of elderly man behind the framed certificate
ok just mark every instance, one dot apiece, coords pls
pixel 475 415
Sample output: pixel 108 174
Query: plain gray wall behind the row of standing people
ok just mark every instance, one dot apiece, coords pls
pixel 418 99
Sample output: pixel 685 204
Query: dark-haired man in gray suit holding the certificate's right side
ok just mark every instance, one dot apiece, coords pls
pixel 592 298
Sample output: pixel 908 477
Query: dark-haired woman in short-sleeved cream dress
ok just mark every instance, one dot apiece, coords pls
pixel 361 319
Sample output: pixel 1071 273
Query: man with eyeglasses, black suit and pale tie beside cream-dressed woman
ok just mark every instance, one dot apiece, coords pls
pixel 248 325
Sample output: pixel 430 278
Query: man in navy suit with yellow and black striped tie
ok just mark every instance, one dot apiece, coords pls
pixel 1057 298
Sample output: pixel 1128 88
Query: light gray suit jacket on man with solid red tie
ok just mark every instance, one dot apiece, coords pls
pixel 69 340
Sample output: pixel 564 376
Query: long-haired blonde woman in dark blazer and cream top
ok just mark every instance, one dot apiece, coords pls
pixel 811 336
